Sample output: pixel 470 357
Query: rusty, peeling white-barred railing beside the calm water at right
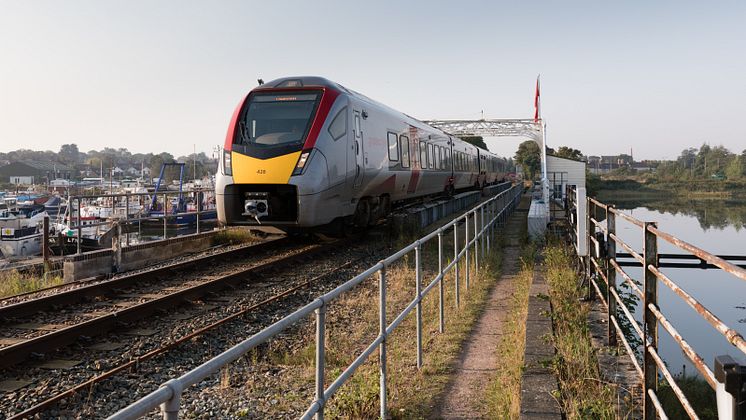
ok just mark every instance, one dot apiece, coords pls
pixel 602 264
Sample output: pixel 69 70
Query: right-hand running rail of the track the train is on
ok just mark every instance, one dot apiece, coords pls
pixel 19 352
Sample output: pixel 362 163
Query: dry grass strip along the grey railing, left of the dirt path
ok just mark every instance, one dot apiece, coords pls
pixel 352 323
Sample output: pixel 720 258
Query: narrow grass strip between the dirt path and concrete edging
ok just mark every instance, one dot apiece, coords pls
pixel 504 392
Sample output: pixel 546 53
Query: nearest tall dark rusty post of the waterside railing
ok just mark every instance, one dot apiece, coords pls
pixel 650 322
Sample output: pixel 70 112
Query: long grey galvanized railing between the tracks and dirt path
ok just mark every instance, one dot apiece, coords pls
pixel 496 210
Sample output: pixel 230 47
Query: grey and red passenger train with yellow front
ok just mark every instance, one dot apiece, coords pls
pixel 306 152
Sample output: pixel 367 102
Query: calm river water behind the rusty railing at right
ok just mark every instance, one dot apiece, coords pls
pixel 717 226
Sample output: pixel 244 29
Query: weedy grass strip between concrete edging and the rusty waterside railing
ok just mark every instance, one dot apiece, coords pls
pixel 583 394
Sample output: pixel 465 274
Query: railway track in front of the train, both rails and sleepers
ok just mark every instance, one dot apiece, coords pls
pixel 122 301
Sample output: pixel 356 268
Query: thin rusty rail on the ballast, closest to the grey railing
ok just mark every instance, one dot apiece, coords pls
pixel 40 407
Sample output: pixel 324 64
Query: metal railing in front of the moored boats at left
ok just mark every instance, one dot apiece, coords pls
pixel 119 206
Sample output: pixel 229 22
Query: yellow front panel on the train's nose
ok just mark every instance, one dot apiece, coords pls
pixel 249 170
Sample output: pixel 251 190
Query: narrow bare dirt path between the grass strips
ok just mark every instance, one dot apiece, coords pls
pixel 465 393
